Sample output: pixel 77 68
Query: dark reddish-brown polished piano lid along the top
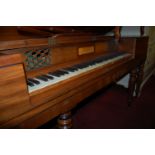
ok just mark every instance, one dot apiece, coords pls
pixel 9 33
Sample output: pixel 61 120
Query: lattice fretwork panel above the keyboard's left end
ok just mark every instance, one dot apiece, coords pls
pixel 37 58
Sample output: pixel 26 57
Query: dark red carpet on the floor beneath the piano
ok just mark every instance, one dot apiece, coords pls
pixel 108 109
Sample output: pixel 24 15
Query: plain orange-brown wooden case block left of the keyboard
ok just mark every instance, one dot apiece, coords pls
pixel 15 98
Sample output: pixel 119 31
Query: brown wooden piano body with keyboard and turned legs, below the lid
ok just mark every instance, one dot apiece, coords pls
pixel 40 81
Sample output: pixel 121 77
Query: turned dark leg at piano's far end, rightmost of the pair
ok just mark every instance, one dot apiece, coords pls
pixel 139 79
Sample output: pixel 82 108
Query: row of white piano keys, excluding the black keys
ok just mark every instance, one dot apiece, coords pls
pixel 55 79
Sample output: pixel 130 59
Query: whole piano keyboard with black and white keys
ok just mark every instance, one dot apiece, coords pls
pixel 51 78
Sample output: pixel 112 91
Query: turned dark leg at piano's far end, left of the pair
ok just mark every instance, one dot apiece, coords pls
pixel 132 83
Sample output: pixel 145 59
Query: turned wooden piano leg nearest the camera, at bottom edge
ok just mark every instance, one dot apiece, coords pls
pixel 65 121
